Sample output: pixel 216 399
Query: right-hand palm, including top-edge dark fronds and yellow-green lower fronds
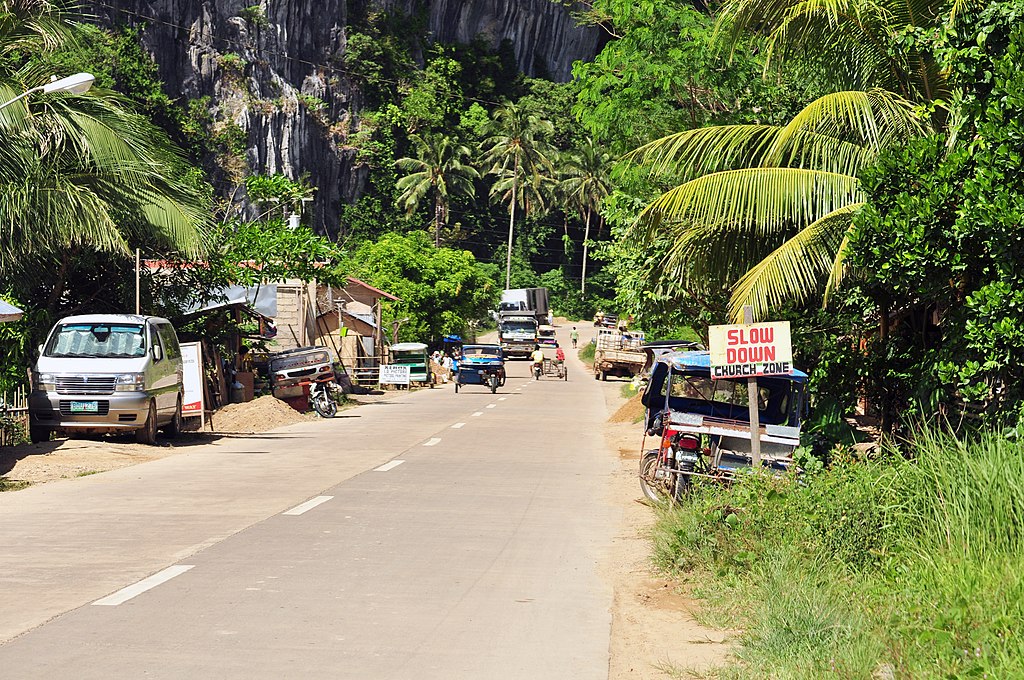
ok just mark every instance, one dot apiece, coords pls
pixel 782 198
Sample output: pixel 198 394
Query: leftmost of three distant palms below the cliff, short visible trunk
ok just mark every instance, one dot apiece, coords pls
pixel 440 171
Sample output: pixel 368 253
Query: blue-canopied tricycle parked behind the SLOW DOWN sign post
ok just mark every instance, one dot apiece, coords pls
pixel 704 424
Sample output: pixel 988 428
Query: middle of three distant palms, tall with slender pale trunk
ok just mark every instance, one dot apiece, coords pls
pixel 518 152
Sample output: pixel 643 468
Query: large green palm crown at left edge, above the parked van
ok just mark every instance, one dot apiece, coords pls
pixel 83 171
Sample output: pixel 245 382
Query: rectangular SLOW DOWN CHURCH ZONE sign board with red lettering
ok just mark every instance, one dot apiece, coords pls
pixel 749 351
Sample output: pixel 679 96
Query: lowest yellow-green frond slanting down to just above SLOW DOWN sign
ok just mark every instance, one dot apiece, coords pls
pixel 795 270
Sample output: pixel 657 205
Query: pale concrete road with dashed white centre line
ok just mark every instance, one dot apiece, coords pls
pixel 431 536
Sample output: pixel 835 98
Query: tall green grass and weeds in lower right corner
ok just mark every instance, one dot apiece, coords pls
pixel 906 569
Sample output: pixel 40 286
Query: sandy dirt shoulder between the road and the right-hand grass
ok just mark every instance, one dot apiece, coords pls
pixel 654 632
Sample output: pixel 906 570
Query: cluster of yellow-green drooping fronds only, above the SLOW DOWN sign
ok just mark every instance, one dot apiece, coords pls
pixel 780 197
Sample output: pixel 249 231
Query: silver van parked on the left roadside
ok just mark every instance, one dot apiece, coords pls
pixel 108 373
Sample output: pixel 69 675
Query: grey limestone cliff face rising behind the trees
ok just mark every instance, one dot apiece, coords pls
pixel 273 74
